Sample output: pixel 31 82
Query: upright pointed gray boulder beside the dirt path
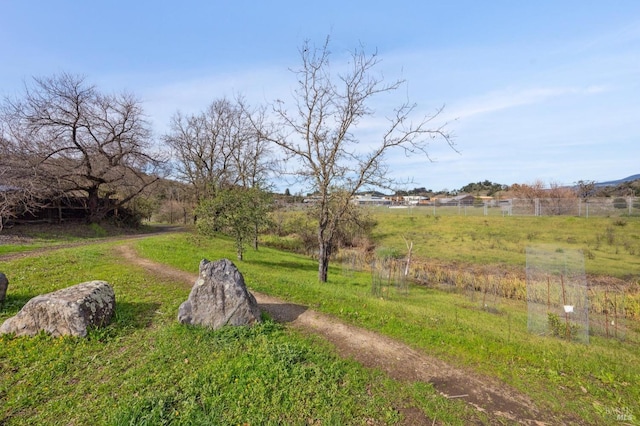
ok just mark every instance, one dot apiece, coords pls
pixel 219 297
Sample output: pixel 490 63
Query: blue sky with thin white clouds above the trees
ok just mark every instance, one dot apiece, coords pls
pixel 532 90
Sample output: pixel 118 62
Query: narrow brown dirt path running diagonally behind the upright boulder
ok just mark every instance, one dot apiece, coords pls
pixel 398 360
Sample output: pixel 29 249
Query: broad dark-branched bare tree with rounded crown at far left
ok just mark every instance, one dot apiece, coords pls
pixel 78 140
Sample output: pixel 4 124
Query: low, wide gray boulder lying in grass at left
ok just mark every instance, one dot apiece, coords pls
pixel 69 311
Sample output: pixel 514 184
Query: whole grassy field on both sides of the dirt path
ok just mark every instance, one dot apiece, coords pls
pixel 145 368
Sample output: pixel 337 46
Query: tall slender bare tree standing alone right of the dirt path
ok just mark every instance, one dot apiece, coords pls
pixel 317 133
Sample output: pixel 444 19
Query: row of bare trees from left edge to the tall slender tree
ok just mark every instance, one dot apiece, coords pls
pixel 63 138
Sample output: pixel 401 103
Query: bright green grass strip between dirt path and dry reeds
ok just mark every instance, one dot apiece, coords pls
pixel 589 382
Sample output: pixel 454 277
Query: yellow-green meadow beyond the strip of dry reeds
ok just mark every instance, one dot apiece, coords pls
pixel 611 245
